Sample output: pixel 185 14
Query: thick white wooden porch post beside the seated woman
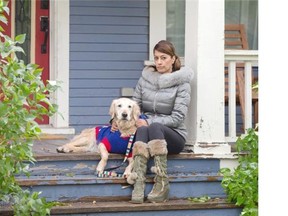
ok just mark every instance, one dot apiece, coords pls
pixel 204 52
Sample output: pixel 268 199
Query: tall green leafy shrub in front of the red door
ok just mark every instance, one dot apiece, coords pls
pixel 24 97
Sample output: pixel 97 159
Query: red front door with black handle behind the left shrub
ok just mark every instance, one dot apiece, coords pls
pixel 31 17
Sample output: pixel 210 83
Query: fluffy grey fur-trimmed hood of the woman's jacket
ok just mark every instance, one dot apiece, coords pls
pixel 181 76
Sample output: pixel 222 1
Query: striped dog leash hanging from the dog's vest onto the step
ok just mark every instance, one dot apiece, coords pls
pixel 108 172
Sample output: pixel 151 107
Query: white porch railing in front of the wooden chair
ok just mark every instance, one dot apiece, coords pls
pixel 250 59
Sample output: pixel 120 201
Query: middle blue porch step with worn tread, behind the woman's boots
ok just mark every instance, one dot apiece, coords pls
pixel 83 187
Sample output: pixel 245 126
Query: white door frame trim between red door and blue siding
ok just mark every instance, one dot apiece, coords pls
pixel 59 66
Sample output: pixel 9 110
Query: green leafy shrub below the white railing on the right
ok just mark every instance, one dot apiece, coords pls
pixel 241 185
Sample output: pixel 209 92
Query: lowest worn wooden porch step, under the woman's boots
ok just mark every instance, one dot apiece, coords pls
pixel 180 207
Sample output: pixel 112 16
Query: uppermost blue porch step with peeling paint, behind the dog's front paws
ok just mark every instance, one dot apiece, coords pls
pixel 85 164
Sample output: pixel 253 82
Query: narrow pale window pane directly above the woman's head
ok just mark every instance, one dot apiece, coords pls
pixel 175 25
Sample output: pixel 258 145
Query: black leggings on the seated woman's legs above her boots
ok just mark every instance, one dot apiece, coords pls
pixel 175 142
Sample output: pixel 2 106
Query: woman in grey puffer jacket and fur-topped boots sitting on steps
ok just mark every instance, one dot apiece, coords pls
pixel 163 93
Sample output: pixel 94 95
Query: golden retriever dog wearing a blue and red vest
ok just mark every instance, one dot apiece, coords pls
pixel 124 113
